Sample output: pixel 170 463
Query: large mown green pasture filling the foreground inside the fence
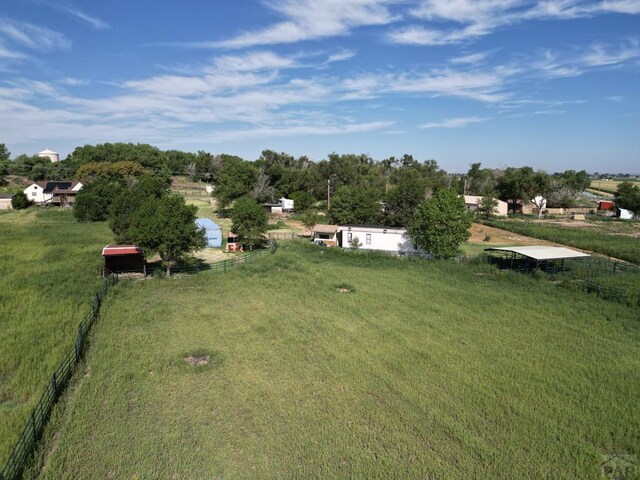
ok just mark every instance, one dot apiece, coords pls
pixel 423 370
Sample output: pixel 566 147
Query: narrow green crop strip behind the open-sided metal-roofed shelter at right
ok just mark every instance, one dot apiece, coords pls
pixel 613 245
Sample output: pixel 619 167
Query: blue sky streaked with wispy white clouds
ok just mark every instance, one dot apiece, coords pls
pixel 552 84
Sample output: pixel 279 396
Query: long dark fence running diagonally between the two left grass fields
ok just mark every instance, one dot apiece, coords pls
pixel 32 431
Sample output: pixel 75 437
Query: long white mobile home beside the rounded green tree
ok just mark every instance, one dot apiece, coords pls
pixel 375 237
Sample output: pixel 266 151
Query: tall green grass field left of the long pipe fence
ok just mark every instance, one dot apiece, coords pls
pixel 49 268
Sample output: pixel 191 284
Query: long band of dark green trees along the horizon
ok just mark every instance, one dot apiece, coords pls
pixel 351 188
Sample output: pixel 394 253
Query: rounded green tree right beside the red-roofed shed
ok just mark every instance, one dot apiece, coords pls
pixel 166 226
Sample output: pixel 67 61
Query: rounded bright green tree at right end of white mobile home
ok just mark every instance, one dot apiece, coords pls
pixel 441 224
